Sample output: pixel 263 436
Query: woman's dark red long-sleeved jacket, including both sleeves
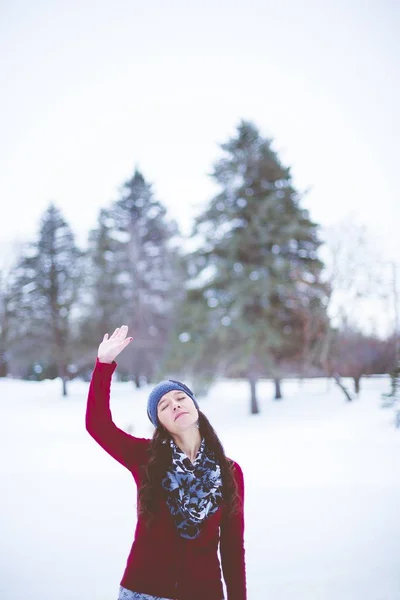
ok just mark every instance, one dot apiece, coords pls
pixel 161 562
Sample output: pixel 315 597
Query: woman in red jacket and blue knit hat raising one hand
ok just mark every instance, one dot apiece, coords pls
pixel 190 495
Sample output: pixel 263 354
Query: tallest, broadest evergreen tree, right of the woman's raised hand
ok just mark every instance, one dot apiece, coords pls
pixel 257 265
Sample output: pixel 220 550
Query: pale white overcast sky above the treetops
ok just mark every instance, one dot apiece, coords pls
pixel 90 89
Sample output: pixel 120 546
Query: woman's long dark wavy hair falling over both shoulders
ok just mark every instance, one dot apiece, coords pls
pixel 151 491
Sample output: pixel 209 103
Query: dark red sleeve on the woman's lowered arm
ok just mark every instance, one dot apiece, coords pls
pixel 232 546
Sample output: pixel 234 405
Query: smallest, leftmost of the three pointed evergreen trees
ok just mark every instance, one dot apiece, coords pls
pixel 44 292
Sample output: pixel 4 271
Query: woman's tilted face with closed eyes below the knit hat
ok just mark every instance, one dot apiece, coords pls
pixel 177 411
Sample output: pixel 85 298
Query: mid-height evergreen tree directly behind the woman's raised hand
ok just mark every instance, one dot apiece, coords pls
pixel 147 268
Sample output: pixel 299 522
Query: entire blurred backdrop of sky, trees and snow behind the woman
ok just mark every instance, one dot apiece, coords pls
pixel 221 178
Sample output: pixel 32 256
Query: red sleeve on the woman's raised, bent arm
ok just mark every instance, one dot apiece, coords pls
pixel 128 450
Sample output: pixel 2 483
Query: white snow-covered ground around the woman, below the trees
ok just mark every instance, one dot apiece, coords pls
pixel 322 483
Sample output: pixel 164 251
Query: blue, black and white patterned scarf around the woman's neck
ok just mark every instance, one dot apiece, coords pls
pixel 194 490
